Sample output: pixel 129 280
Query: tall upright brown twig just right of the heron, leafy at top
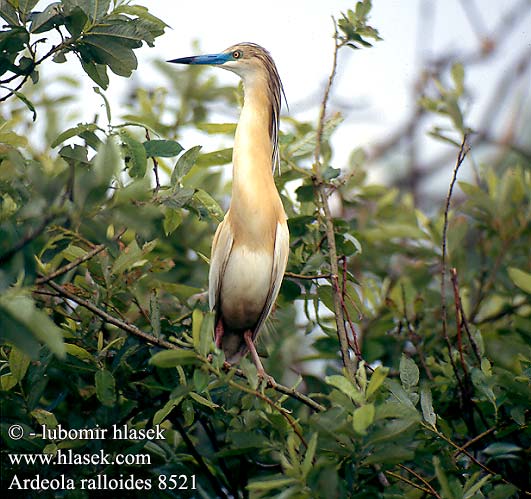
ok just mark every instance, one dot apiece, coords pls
pixel 348 362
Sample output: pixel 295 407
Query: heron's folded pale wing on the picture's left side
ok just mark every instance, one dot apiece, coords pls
pixel 221 248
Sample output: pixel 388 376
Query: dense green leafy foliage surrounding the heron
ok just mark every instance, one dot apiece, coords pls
pixel 105 232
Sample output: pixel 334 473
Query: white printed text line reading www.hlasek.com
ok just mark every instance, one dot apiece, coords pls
pixel 69 457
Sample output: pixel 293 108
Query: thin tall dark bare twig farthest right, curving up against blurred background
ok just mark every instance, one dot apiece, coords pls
pixel 463 150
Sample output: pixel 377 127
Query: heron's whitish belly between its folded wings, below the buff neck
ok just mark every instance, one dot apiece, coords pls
pixel 245 285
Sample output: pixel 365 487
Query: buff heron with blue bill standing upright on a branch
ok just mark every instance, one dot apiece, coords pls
pixel 251 245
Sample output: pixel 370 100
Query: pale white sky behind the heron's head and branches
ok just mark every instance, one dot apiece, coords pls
pixel 373 84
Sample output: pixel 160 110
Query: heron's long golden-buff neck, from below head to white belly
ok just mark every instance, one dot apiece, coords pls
pixel 255 204
